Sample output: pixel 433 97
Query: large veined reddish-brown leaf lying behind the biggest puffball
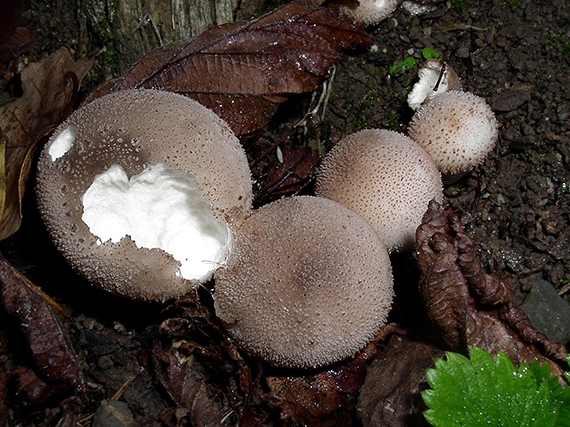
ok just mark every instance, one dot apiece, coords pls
pixel 243 71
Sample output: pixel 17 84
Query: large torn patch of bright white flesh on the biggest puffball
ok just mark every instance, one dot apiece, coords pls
pixel 162 207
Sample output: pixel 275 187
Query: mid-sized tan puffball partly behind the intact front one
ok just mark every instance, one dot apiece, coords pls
pixel 386 178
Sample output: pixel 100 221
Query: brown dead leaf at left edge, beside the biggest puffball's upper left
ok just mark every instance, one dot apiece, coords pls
pixel 49 89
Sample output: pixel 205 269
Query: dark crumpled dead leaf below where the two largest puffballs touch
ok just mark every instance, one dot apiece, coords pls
pixel 204 372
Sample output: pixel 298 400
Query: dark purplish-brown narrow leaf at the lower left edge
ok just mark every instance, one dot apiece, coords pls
pixel 49 343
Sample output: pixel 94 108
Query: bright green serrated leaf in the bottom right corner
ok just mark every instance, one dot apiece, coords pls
pixel 483 391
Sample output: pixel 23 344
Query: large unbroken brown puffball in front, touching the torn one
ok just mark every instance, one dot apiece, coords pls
pixel 308 283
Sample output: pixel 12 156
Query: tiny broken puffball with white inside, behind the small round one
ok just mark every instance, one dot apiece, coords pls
pixel 435 77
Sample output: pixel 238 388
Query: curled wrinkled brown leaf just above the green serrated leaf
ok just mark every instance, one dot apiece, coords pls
pixel 470 306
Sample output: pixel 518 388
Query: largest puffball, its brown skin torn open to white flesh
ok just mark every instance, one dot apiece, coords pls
pixel 140 191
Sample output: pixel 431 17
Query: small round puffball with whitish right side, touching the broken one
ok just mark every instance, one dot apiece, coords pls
pixel 457 129
